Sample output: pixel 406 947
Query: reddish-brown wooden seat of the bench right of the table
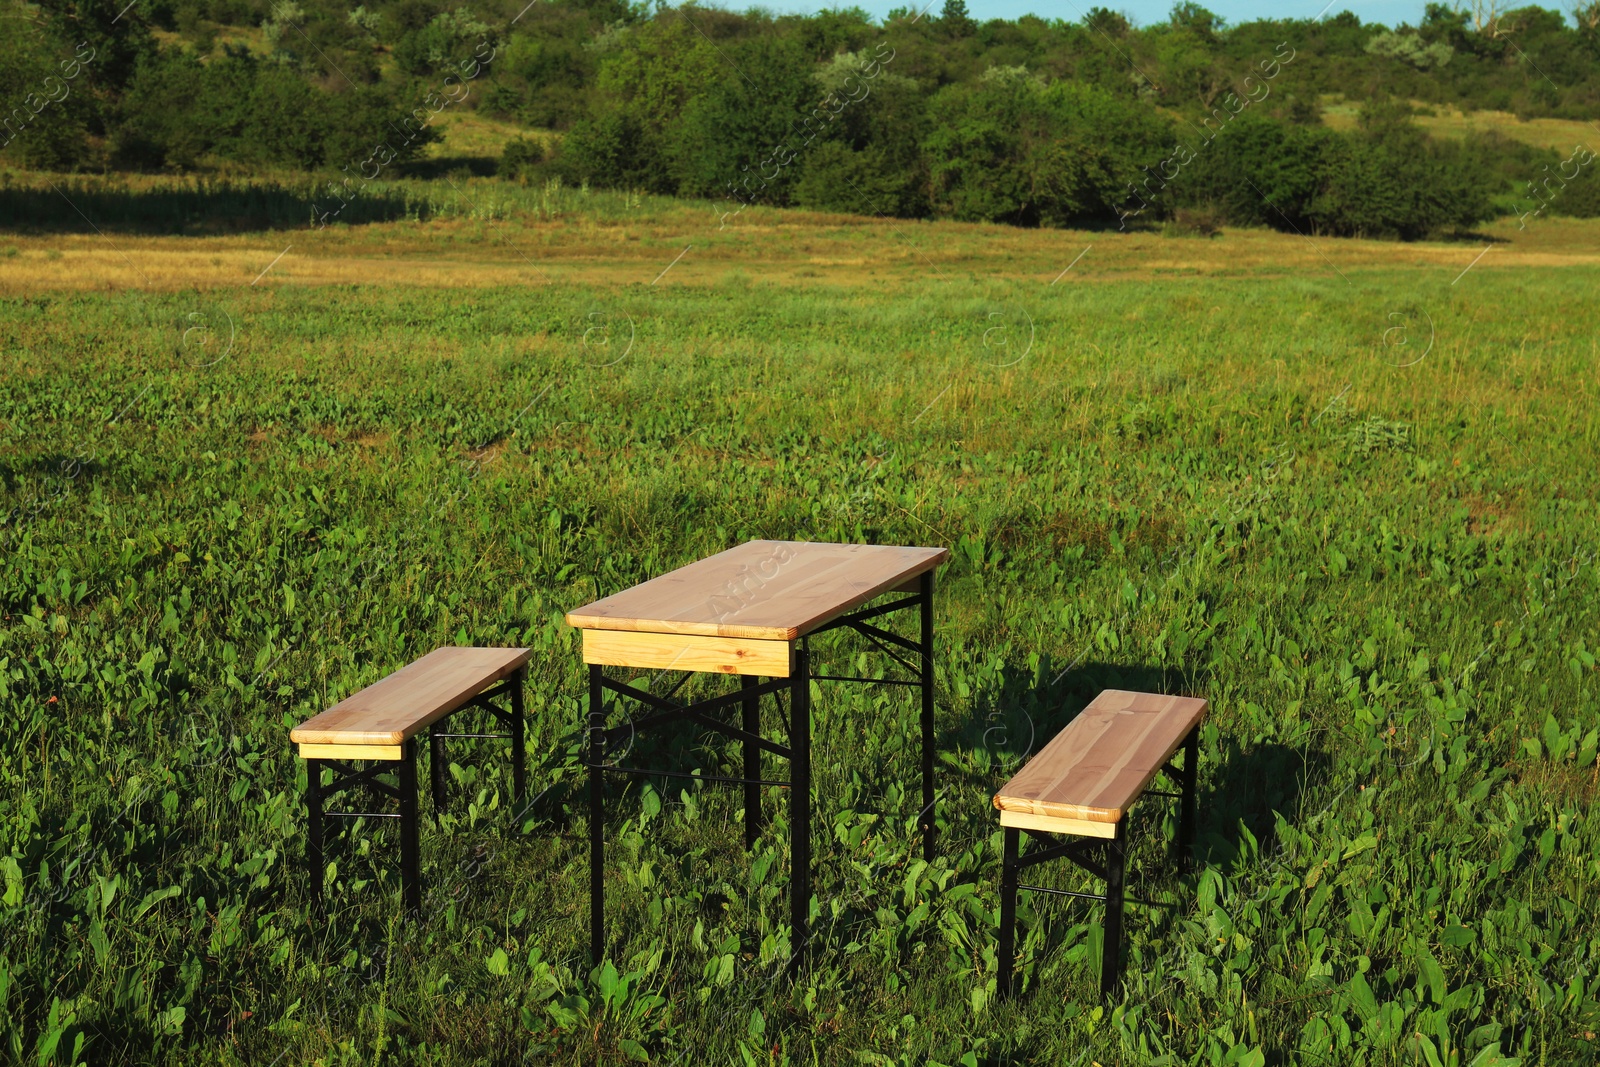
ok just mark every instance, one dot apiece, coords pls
pixel 1092 772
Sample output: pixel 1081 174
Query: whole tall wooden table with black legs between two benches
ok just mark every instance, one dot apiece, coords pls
pixel 748 612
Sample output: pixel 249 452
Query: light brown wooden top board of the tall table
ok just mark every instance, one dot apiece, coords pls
pixel 762 591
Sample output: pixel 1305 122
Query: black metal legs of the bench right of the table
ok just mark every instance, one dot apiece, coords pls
pixel 1111 869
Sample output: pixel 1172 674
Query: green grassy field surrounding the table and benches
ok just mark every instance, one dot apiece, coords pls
pixel 1345 490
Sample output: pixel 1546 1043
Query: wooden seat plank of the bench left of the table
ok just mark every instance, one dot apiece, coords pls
pixel 412 698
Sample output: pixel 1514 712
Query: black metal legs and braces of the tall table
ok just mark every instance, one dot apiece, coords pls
pixel 748 697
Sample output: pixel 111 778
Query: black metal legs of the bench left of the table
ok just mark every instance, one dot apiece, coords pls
pixel 406 789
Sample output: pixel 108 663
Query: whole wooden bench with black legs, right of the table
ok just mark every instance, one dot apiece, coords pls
pixel 1082 785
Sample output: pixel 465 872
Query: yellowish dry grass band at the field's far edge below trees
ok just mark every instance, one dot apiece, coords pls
pixel 793 250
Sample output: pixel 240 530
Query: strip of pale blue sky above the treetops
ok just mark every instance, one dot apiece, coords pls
pixel 1143 12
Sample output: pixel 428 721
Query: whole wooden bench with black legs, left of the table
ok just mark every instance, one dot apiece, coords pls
pixel 382 725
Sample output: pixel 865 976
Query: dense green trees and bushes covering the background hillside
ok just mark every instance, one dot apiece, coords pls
pixel 1031 122
